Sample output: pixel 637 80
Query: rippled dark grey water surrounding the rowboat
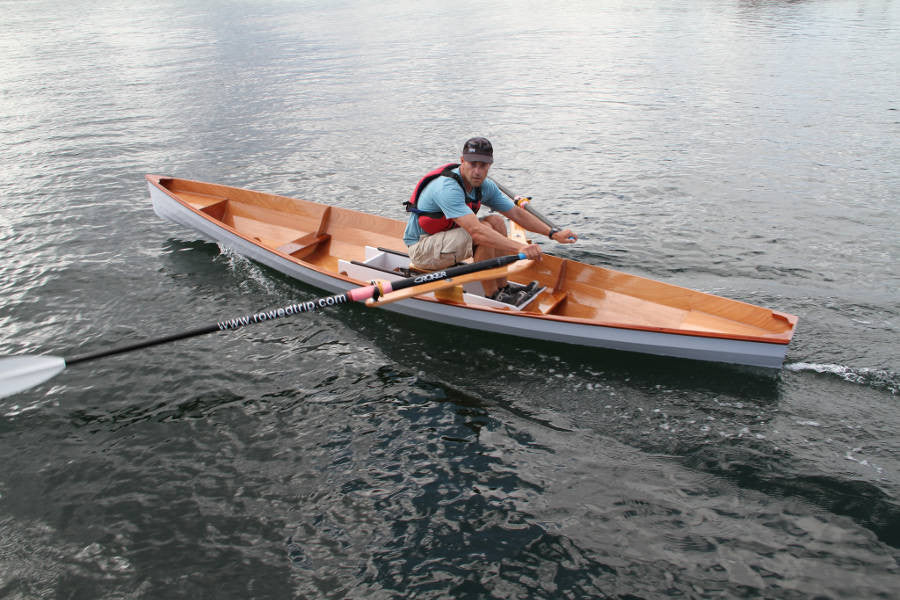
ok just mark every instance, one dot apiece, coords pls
pixel 744 148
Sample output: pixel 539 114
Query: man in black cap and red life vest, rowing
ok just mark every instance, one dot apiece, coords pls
pixel 443 228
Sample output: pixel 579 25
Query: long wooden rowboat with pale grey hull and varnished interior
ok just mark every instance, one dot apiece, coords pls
pixel 336 249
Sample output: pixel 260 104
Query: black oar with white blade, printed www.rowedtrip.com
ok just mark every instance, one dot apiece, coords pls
pixel 18 373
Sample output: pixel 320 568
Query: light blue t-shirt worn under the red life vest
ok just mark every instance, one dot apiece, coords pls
pixel 444 194
